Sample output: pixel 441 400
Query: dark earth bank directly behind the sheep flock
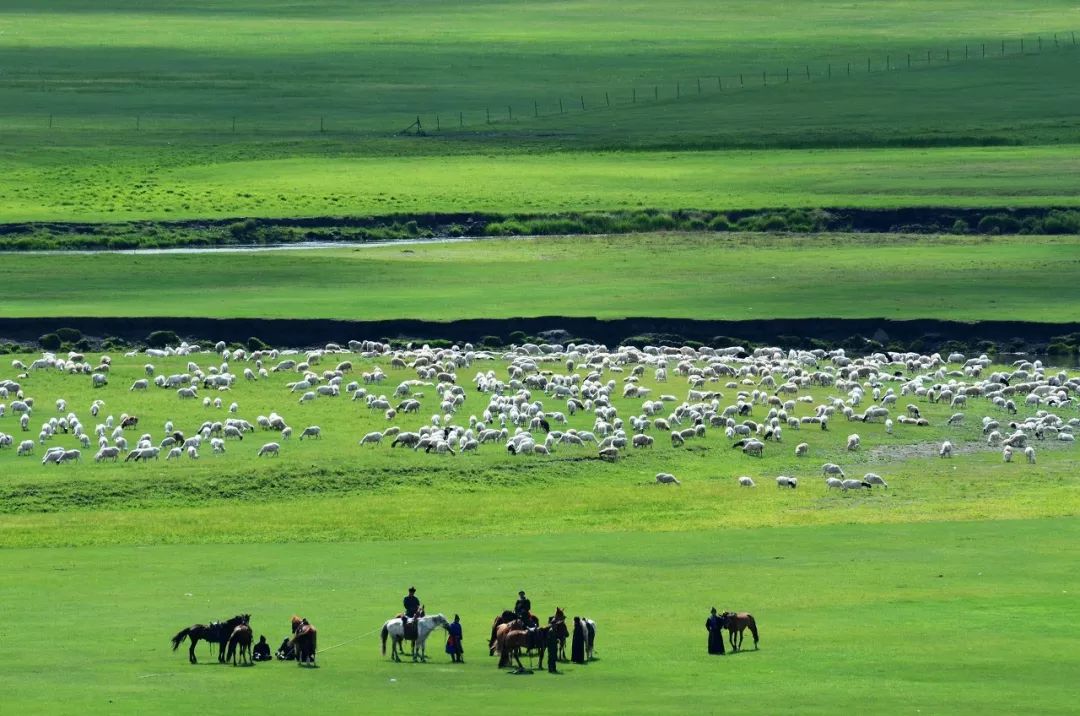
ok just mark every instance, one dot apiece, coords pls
pixel 859 335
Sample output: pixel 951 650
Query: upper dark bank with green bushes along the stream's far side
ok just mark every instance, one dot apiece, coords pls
pixel 346 229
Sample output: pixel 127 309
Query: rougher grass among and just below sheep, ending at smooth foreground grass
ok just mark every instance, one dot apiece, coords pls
pixel 341 481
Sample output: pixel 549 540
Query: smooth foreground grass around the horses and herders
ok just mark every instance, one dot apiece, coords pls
pixel 948 617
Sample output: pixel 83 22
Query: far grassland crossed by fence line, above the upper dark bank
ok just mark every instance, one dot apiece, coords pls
pixel 367 71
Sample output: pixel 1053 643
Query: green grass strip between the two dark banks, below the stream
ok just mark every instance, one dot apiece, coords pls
pixel 676 276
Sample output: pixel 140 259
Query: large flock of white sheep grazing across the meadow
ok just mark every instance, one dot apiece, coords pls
pixel 542 401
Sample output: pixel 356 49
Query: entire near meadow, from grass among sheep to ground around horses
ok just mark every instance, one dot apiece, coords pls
pixel 935 595
